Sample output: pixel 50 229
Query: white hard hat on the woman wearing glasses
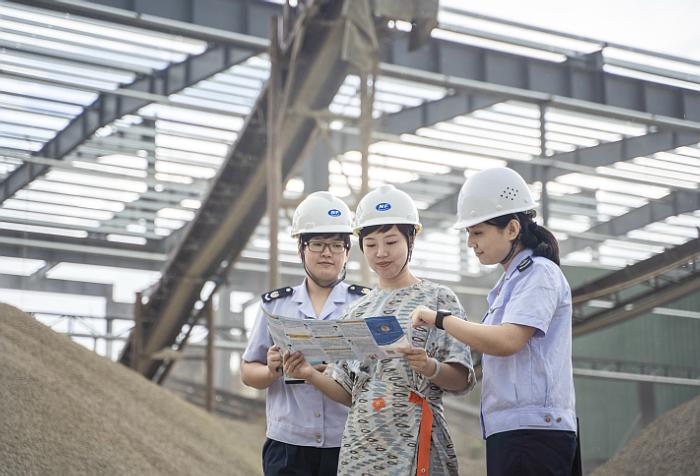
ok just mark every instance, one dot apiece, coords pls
pixel 321 212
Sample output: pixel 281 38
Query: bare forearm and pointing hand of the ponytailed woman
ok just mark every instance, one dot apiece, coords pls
pixel 501 340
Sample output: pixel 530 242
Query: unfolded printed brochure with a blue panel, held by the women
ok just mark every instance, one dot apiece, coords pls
pixel 372 338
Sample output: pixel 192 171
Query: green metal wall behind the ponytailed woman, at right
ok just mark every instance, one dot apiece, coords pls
pixel 610 411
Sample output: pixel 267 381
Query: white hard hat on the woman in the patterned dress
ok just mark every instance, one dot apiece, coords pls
pixel 386 205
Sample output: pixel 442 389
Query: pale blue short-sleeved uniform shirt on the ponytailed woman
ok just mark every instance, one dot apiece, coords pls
pixel 533 388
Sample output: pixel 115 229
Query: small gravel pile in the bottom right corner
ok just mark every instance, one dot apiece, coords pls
pixel 669 445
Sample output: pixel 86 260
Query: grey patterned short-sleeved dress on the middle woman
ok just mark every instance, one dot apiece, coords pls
pixel 381 432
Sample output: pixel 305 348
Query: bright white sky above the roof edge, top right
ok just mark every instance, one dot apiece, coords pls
pixel 669 26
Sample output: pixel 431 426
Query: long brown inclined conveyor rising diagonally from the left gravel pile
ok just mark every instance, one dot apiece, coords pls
pixel 236 201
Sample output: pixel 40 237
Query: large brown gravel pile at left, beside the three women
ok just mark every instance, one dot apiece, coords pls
pixel 65 410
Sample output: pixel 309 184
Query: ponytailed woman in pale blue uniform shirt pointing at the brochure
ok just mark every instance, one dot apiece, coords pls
pixel 527 398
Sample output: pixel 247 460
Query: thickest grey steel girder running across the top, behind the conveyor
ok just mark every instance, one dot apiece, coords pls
pixel 577 78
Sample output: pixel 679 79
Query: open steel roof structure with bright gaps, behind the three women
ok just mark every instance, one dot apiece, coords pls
pixel 129 130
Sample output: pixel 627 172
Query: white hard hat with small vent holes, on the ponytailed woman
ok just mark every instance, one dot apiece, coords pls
pixel 492 193
